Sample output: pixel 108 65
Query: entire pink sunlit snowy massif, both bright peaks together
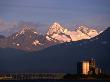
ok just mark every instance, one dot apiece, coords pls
pixel 57 32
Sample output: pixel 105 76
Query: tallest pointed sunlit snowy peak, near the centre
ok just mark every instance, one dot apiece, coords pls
pixel 57 33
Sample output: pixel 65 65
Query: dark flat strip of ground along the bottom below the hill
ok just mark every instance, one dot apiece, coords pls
pixel 51 77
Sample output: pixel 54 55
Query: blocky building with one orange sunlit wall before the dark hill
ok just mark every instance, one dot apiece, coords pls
pixel 88 67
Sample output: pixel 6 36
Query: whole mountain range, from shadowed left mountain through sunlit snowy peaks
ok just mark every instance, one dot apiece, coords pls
pixel 29 39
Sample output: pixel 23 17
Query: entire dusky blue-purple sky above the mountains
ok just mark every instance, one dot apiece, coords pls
pixel 70 13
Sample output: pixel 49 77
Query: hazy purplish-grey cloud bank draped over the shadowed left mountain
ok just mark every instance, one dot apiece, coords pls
pixel 7 28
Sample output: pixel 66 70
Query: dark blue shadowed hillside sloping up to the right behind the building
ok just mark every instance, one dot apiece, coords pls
pixel 59 58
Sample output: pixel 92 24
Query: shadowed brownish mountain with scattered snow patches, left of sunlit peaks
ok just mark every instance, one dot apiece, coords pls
pixel 25 39
